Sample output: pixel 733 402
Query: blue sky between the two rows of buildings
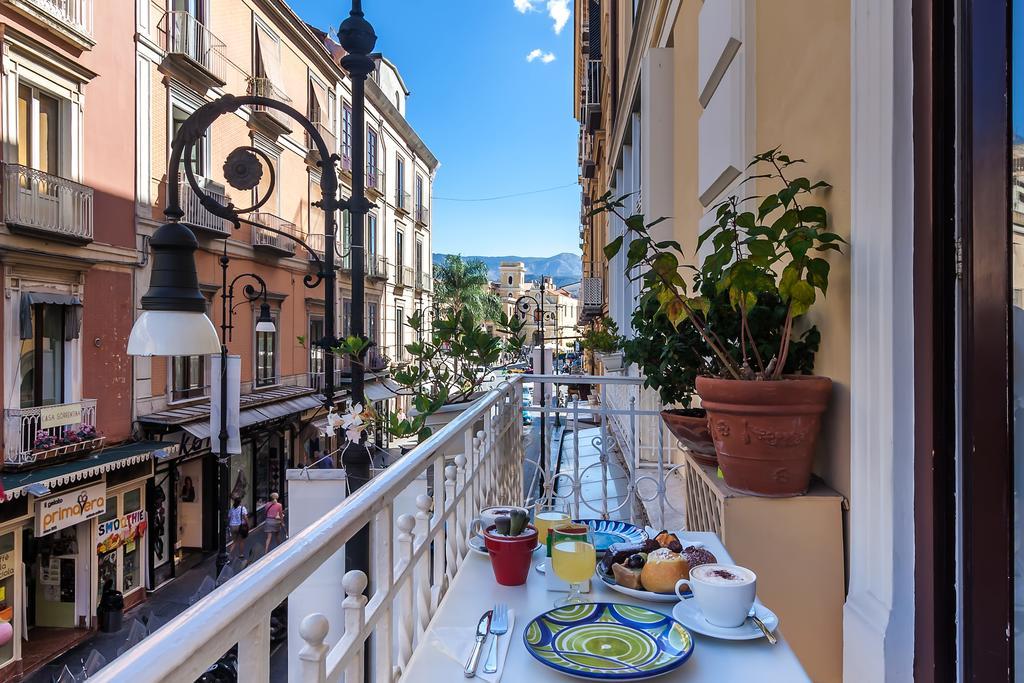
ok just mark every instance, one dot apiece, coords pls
pixel 500 124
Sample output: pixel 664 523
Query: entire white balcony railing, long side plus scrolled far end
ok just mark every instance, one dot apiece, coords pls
pixel 419 511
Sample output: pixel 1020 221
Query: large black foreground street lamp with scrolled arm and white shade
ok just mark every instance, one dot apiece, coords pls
pixel 174 320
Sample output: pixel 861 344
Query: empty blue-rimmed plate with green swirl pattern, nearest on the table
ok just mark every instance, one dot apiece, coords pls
pixel 609 642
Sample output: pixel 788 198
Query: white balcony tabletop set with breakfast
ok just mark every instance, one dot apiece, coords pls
pixel 475 590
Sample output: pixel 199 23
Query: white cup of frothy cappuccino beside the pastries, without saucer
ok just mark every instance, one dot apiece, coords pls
pixel 724 592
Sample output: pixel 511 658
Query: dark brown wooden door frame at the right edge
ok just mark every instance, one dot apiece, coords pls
pixel 979 195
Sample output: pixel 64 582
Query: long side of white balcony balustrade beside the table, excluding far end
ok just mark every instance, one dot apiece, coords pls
pixel 409 579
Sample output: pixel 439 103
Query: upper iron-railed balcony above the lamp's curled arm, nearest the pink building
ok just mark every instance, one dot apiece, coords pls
pixel 193 51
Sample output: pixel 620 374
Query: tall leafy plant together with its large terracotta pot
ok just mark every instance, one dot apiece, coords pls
pixel 764 415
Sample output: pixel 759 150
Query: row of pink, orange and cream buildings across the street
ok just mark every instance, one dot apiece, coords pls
pixel 107 477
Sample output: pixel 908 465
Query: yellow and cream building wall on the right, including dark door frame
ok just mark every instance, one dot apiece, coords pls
pixel 908 111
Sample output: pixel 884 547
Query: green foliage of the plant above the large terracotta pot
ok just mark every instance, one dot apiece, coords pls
pixel 764 273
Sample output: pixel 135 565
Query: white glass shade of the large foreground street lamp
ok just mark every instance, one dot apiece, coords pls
pixel 174 333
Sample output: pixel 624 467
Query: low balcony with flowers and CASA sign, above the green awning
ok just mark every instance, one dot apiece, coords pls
pixel 36 437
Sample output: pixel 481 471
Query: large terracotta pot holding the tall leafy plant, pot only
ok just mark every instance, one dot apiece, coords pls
pixel 765 432
